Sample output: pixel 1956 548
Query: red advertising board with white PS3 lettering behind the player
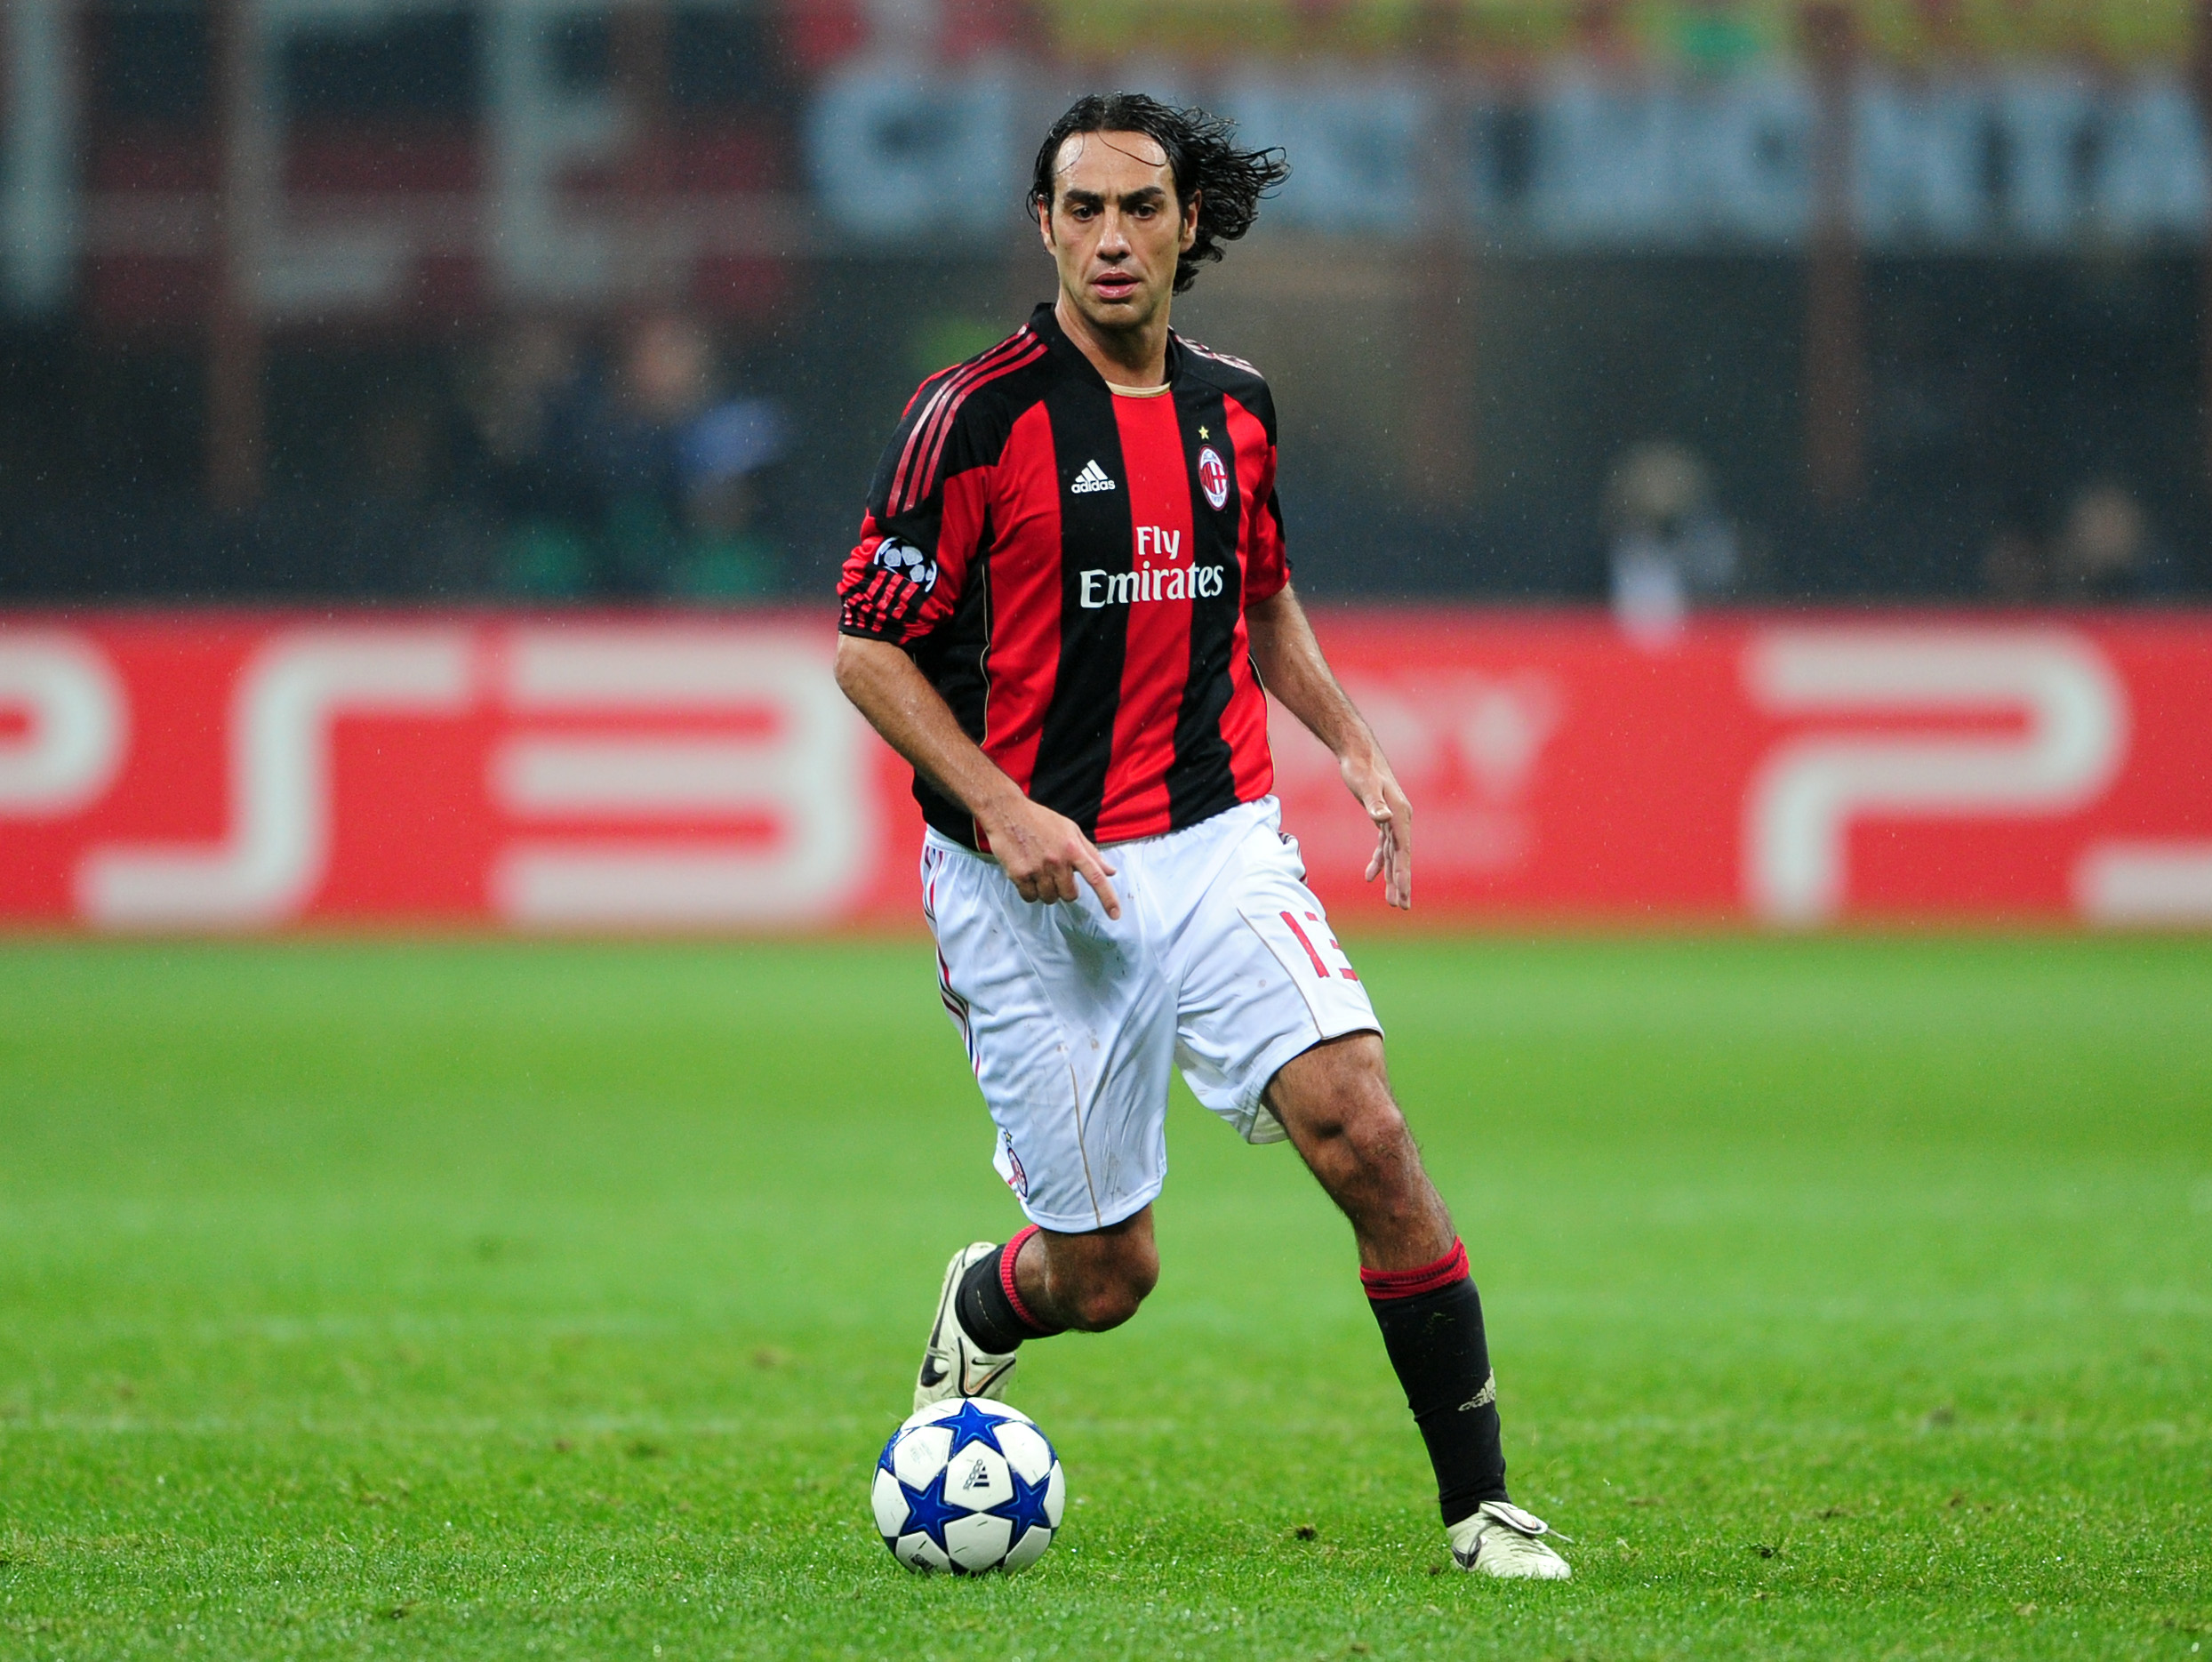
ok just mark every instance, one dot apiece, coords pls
pixel 682 773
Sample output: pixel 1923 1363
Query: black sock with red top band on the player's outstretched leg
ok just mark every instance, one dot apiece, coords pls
pixel 1432 1327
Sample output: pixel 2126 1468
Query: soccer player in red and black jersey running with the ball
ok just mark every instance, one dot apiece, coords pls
pixel 1067 601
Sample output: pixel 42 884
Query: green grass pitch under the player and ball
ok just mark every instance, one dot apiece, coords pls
pixel 472 1300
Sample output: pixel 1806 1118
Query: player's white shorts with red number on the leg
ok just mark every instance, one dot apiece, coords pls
pixel 1222 964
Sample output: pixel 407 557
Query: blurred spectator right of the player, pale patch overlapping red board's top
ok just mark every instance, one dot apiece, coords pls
pixel 1669 546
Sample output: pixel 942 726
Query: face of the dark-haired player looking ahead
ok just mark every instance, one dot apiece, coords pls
pixel 1116 227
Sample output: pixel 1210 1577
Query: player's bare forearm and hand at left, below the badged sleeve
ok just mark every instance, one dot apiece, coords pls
pixel 1043 853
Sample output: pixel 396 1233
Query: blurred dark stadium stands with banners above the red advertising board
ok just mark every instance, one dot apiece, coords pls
pixel 1669 302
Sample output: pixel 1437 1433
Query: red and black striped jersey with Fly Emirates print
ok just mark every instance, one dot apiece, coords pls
pixel 1070 565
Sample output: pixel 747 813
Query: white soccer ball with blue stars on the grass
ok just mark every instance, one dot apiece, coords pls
pixel 968 1486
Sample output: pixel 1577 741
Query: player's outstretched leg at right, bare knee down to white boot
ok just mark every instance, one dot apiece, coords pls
pixel 1337 1105
